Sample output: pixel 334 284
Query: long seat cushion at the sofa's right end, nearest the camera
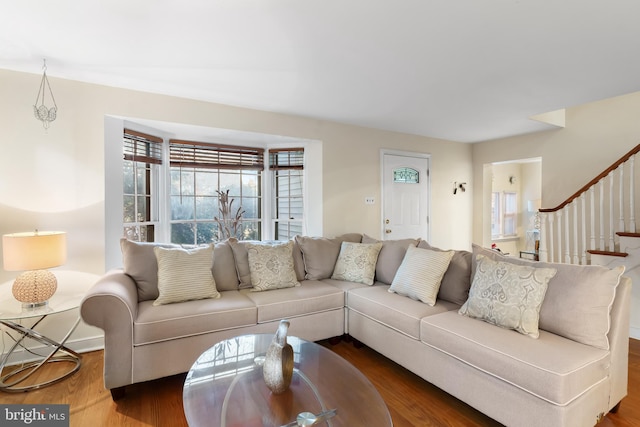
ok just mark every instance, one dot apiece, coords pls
pixel 553 368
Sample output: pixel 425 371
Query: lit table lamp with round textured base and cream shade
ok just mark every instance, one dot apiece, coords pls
pixel 34 252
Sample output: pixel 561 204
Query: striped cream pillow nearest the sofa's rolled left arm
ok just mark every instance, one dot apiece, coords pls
pixel 184 274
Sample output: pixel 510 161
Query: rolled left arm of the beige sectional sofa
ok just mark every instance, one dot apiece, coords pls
pixel 112 305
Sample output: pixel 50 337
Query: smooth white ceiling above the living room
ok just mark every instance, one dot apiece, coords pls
pixel 463 70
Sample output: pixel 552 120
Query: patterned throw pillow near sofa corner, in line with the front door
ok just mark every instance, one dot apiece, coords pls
pixel 357 262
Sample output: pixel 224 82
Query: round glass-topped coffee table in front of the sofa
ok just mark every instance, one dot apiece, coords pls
pixel 225 388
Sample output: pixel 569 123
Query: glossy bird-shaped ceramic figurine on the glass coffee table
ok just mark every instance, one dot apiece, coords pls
pixel 278 363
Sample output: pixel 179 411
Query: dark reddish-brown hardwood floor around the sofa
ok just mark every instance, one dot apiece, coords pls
pixel 411 401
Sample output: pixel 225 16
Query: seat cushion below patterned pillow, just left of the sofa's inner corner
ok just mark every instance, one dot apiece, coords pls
pixel 311 297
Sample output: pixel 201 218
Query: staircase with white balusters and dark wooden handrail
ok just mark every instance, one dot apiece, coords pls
pixel 597 225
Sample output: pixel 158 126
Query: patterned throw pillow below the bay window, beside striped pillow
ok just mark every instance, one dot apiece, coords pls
pixel 271 266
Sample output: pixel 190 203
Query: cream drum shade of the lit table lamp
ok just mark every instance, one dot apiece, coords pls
pixel 34 250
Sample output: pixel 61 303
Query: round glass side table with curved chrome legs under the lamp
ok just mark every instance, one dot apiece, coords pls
pixel 72 286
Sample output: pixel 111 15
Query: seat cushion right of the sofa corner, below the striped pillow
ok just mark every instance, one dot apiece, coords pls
pixel 394 311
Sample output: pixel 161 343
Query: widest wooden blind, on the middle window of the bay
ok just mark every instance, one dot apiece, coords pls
pixel 214 156
